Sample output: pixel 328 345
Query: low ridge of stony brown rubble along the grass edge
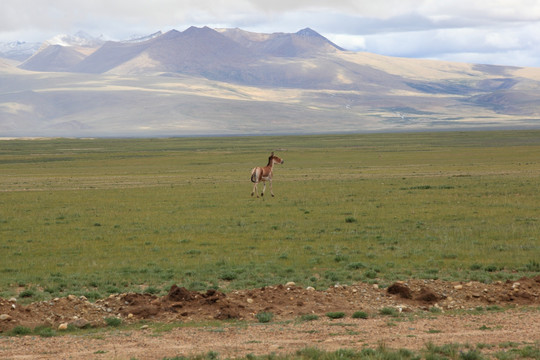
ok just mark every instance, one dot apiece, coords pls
pixel 284 301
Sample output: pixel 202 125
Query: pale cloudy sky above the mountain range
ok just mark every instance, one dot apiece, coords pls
pixel 505 32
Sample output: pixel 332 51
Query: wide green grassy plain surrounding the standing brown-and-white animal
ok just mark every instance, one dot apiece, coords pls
pixel 99 216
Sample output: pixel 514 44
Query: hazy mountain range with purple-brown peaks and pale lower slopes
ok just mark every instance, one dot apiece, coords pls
pixel 204 81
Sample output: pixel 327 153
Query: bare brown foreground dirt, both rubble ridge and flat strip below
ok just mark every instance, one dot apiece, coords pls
pixel 415 300
